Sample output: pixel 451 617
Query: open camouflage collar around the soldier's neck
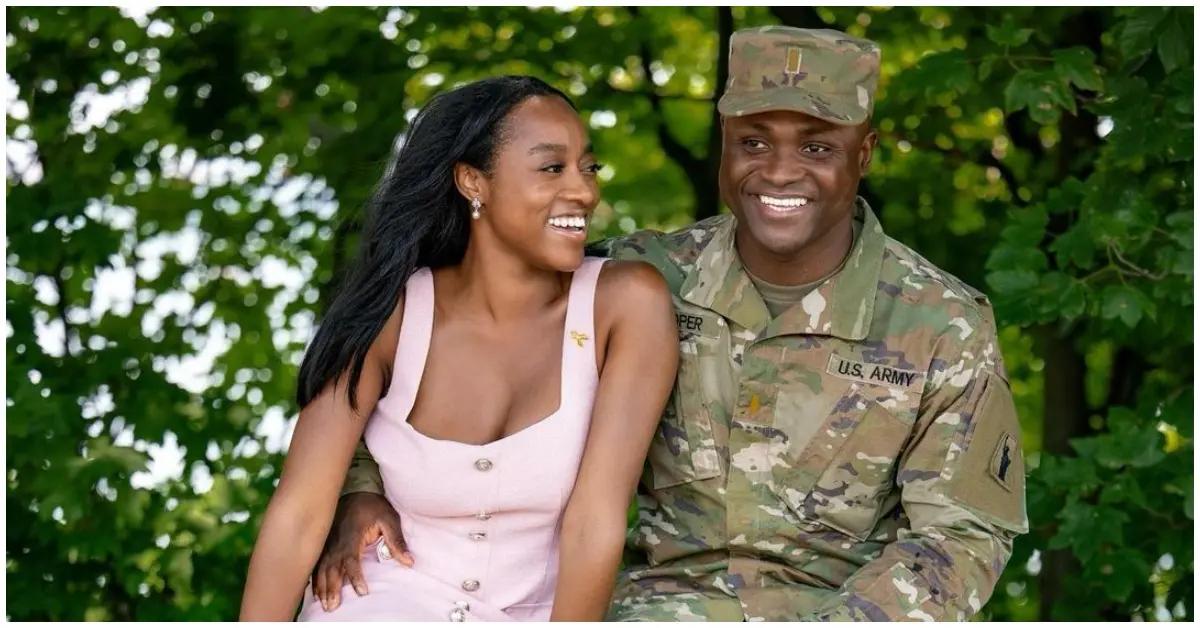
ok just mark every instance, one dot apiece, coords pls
pixel 841 307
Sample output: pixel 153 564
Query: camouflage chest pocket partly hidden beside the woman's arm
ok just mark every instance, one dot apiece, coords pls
pixel 685 450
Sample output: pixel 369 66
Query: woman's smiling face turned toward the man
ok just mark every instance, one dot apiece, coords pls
pixel 543 187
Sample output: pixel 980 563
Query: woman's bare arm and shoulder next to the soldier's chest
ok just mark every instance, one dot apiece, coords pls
pixel 635 381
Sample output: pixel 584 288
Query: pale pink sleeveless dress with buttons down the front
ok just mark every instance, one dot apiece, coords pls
pixel 482 522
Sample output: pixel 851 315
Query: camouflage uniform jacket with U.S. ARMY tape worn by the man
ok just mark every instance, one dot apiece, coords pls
pixel 856 458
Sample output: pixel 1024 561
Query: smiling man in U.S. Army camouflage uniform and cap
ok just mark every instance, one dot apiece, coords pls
pixel 842 444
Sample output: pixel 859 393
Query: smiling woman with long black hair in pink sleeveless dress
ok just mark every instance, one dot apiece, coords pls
pixel 471 316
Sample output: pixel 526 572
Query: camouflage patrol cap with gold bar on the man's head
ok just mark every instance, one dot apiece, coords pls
pixel 821 73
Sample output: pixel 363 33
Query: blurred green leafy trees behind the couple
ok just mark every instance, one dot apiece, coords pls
pixel 184 187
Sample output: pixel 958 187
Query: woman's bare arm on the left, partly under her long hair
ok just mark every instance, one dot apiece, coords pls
pixel 299 515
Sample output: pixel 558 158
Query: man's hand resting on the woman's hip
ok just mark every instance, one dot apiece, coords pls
pixel 362 521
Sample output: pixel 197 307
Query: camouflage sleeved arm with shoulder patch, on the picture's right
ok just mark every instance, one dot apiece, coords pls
pixel 963 488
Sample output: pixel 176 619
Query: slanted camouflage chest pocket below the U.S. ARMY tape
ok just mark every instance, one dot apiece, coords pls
pixel 845 477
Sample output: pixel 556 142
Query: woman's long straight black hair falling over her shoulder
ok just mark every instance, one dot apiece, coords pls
pixel 416 218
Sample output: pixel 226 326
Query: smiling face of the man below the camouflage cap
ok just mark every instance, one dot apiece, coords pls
pixel 791 178
